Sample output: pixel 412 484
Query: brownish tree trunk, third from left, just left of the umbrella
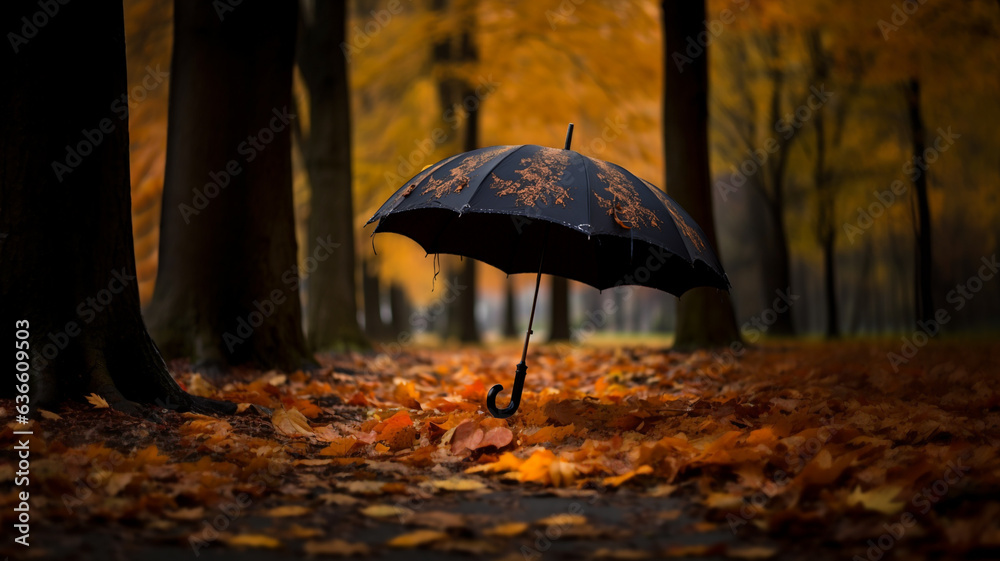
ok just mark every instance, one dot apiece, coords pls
pixel 331 308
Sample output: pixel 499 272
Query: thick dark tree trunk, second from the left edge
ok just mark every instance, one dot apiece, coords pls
pixel 227 287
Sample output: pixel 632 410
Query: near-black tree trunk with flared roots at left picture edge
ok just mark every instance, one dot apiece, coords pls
pixel 64 187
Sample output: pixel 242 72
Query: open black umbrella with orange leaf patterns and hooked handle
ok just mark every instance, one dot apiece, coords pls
pixel 530 208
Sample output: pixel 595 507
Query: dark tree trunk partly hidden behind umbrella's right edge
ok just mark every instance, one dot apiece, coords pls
pixel 704 315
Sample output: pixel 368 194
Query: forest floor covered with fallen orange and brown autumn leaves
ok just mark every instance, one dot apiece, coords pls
pixel 786 451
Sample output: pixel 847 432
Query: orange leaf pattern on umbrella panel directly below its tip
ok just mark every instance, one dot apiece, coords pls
pixel 540 180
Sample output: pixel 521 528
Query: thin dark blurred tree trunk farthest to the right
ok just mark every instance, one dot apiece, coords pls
pixel 923 261
